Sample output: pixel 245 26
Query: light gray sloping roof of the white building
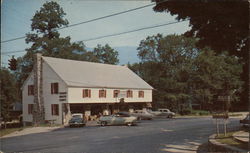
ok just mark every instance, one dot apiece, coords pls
pixel 89 74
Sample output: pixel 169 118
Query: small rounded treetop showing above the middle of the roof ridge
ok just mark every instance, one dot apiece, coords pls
pixel 105 54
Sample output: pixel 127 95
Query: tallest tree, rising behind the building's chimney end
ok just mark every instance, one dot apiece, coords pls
pixel 46 39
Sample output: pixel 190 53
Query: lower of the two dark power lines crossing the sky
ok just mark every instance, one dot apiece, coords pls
pixel 111 35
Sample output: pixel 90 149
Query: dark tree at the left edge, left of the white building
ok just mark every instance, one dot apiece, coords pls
pixel 8 93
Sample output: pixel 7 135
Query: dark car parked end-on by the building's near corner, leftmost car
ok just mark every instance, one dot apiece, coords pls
pixel 77 120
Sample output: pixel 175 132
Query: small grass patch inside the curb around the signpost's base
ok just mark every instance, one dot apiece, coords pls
pixel 230 141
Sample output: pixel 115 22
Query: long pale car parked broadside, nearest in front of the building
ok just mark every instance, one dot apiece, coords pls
pixel 118 119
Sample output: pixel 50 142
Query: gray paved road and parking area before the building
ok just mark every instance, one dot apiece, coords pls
pixel 159 135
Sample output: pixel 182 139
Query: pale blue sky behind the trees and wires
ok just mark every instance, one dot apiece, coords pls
pixel 16 20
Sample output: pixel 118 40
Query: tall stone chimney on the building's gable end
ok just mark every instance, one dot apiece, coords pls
pixel 38 113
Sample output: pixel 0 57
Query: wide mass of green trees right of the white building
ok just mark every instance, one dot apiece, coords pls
pixel 182 73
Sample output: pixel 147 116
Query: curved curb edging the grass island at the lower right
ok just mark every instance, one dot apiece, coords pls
pixel 223 147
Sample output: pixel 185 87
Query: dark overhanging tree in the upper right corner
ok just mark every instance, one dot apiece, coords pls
pixel 220 25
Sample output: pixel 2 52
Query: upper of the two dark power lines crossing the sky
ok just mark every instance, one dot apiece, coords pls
pixel 84 22
